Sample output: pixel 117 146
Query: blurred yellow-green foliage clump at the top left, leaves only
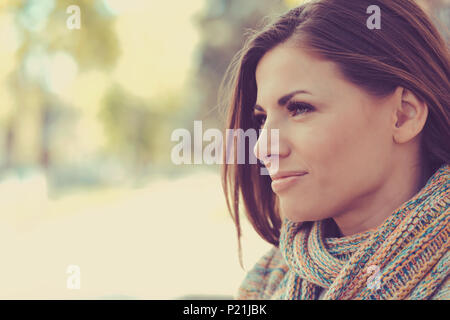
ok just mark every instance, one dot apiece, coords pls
pixel 95 45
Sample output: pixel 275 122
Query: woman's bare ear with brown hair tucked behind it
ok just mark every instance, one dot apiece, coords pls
pixel 409 116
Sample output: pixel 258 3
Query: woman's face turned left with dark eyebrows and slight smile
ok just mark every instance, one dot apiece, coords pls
pixel 340 135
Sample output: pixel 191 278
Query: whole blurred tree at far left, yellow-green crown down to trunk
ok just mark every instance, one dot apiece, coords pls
pixel 50 54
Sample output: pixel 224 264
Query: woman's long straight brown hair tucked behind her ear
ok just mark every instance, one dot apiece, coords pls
pixel 407 51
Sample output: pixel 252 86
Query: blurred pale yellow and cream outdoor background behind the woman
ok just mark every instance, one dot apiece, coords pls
pixel 86 118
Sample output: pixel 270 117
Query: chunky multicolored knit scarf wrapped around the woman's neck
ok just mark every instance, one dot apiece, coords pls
pixel 404 258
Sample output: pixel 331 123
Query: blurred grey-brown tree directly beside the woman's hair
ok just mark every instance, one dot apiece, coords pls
pixel 222 29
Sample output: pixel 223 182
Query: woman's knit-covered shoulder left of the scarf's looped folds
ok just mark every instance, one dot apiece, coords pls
pixel 264 280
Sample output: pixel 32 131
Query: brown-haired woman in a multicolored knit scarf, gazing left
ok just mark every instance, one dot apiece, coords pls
pixel 357 206
